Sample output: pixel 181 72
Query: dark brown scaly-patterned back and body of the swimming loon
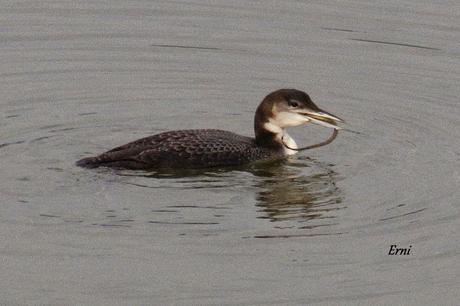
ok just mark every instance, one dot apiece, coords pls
pixel 183 149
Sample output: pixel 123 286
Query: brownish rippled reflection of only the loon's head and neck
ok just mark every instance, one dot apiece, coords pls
pixel 299 190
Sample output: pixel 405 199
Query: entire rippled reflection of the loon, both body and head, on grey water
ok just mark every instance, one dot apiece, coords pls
pixel 296 193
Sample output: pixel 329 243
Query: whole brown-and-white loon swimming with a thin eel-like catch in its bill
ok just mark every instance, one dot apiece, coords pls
pixel 203 148
